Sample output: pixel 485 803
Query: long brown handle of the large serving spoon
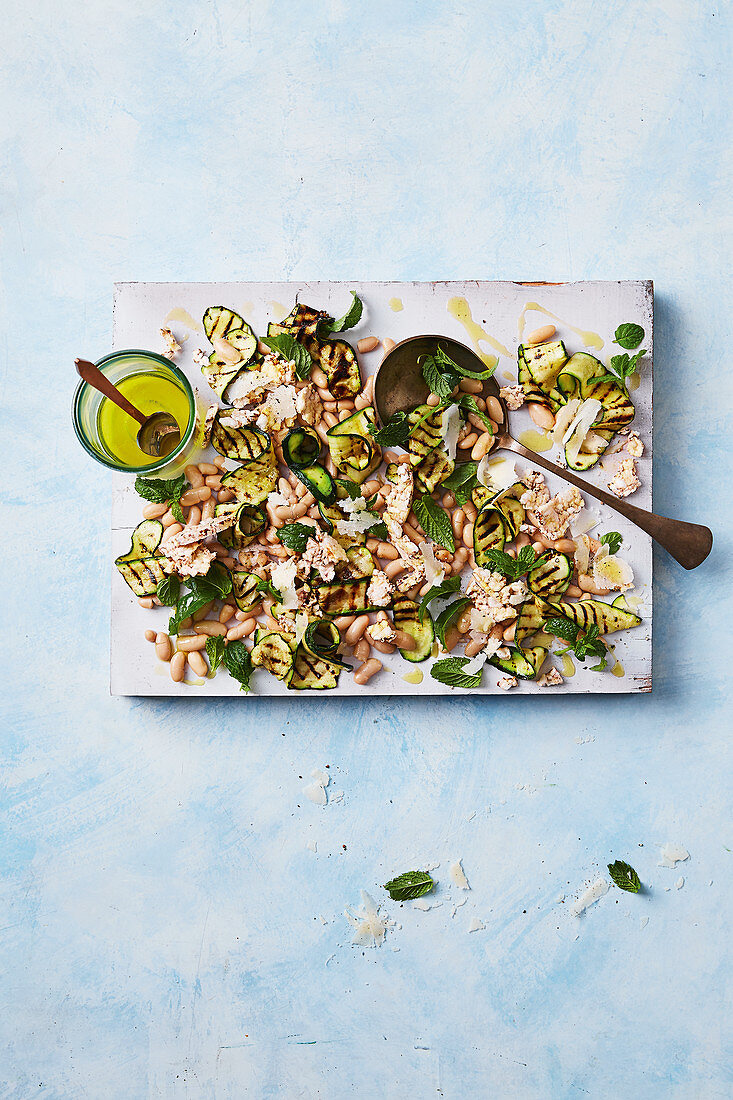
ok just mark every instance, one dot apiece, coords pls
pixel 688 544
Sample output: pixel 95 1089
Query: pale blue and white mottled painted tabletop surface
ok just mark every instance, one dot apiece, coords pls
pixel 159 926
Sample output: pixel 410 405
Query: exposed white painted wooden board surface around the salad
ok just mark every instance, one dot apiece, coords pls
pixel 141 311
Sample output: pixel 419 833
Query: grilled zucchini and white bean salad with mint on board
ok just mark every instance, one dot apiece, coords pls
pixel 315 541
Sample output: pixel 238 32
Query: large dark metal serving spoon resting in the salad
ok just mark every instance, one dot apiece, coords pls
pixel 400 388
